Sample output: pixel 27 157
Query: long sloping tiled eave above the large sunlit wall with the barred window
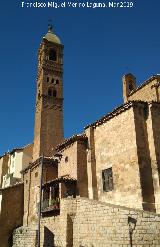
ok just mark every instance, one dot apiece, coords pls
pixel 114 113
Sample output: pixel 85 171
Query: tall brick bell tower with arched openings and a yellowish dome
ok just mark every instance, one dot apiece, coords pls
pixel 48 130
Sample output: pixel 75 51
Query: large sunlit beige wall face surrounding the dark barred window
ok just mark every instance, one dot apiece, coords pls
pixel 116 147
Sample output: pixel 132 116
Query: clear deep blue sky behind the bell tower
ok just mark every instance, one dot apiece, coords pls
pixel 100 46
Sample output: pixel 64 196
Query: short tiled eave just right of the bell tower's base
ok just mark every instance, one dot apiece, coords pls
pixel 70 140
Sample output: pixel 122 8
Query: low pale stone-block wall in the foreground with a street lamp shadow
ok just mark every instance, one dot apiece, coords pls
pixel 85 222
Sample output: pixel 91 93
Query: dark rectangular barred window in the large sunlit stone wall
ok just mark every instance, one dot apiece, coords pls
pixel 107 178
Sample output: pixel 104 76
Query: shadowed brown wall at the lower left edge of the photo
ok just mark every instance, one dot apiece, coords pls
pixel 11 215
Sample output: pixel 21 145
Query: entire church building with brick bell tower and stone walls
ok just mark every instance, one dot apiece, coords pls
pixel 100 187
